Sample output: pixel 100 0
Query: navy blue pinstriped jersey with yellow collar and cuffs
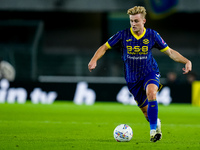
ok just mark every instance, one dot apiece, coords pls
pixel 136 52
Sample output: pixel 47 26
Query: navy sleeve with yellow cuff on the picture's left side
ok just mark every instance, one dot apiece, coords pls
pixel 114 40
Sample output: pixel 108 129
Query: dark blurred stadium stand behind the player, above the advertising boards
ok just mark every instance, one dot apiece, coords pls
pixel 59 37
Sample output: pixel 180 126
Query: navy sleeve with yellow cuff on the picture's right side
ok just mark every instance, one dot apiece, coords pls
pixel 160 43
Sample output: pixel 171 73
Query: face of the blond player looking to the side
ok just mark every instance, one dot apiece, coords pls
pixel 137 22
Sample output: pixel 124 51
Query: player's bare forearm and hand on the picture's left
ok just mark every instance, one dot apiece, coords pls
pixel 99 53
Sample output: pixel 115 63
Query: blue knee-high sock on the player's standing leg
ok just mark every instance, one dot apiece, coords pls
pixel 152 113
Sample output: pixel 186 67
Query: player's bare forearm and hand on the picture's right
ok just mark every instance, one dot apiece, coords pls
pixel 176 56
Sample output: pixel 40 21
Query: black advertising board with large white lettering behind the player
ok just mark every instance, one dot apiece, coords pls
pixel 84 93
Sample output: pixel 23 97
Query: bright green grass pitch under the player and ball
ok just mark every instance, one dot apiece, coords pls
pixel 64 125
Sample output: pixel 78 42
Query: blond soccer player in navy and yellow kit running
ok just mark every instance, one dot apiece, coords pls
pixel 140 68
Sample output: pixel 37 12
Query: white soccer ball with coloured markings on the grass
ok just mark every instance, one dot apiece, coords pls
pixel 123 133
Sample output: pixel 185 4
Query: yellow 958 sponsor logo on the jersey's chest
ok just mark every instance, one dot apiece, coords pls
pixel 137 50
